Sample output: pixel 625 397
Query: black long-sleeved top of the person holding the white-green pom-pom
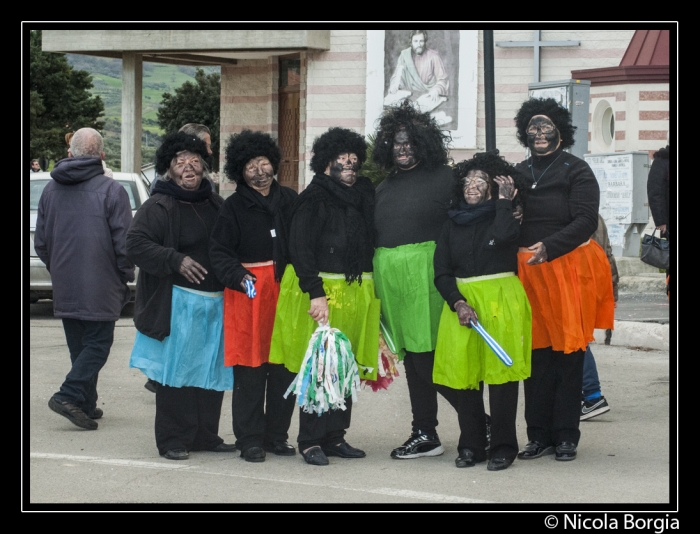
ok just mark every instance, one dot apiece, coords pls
pixel 318 238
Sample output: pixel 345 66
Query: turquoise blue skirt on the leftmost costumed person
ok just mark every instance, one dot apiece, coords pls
pixel 193 354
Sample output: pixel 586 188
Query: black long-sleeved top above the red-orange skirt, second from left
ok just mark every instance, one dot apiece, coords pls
pixel 244 230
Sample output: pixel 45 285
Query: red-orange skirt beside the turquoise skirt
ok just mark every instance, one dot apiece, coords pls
pixel 248 322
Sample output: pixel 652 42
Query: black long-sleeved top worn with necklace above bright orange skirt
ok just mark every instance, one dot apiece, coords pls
pixel 562 210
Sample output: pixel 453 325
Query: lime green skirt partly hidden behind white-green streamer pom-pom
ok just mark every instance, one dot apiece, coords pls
pixel 353 309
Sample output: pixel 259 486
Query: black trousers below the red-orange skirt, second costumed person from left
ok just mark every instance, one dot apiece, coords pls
pixel 260 412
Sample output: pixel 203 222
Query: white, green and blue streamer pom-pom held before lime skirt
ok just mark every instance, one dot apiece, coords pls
pixel 328 373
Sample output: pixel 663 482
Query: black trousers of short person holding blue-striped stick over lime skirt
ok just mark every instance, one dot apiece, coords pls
pixel 471 414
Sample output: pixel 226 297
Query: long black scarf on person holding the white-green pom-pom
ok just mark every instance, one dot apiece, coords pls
pixel 358 201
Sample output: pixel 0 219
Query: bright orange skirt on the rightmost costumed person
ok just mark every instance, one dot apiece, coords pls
pixel 570 297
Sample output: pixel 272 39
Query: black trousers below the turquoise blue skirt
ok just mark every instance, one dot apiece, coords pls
pixel 187 418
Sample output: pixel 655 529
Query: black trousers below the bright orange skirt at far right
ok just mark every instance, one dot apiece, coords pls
pixel 553 396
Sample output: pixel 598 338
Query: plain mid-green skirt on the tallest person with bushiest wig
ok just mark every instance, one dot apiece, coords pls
pixel 411 304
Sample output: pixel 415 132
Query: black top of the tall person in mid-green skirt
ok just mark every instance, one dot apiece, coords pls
pixel 411 206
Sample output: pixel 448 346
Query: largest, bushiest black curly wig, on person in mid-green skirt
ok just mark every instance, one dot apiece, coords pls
pixel 430 143
